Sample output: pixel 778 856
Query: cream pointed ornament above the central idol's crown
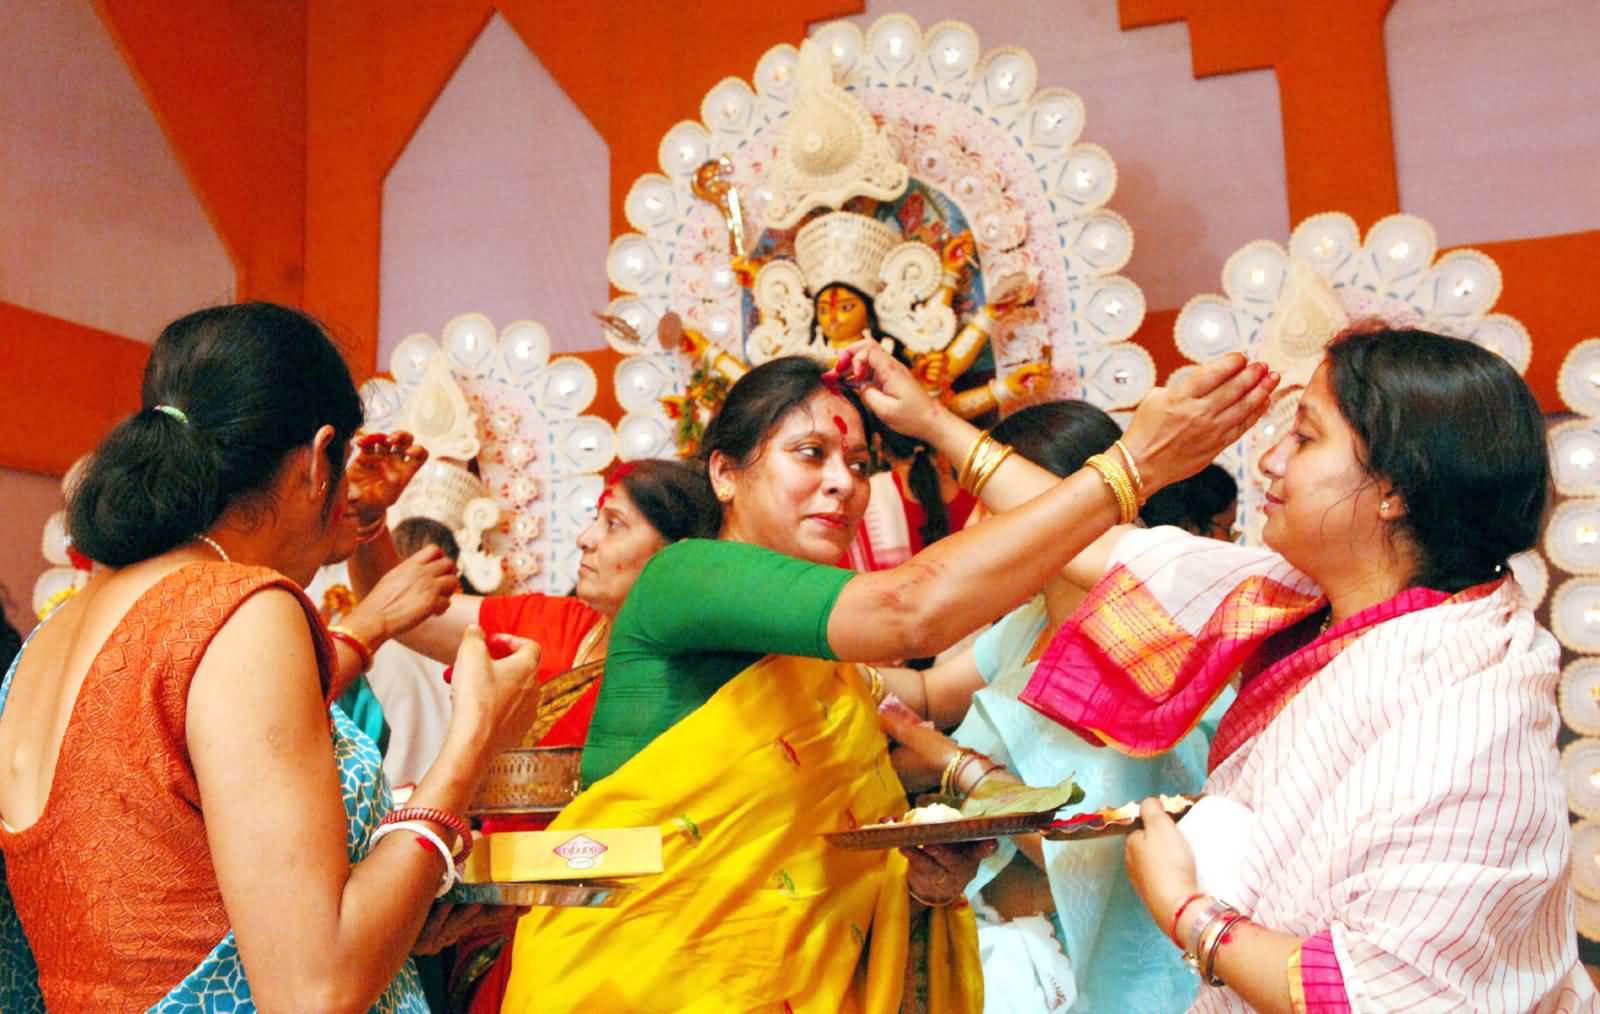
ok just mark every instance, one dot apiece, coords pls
pixel 833 150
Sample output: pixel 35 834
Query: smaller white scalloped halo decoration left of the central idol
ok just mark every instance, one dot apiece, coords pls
pixel 538 455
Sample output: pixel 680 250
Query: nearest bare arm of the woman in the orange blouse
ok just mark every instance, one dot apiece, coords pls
pixel 316 933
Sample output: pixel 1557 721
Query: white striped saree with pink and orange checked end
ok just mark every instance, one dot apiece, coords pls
pixel 1410 815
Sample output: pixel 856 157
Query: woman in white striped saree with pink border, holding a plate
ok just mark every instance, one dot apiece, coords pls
pixel 1394 738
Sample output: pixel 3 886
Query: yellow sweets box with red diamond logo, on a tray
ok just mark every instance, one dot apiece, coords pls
pixel 566 855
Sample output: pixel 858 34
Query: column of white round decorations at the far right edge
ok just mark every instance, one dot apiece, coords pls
pixel 1572 545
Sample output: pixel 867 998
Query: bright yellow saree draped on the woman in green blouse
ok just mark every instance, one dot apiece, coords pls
pixel 754 911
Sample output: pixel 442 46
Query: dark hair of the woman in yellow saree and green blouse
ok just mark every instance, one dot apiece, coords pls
pixel 761 401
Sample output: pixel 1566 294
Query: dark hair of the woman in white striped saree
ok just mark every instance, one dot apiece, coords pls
pixel 1458 436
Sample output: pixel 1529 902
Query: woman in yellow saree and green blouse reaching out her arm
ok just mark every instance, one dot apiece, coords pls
pixel 729 722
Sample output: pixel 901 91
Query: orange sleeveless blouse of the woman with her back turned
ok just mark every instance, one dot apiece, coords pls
pixel 114 882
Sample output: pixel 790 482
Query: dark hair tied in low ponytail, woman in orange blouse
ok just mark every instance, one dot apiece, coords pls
pixel 255 381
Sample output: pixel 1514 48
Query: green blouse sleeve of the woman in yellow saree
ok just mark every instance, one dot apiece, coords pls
pixel 703 596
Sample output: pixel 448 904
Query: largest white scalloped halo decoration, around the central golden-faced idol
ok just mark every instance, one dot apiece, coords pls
pixel 972 132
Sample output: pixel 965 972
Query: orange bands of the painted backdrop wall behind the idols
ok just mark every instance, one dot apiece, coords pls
pixel 287 118
